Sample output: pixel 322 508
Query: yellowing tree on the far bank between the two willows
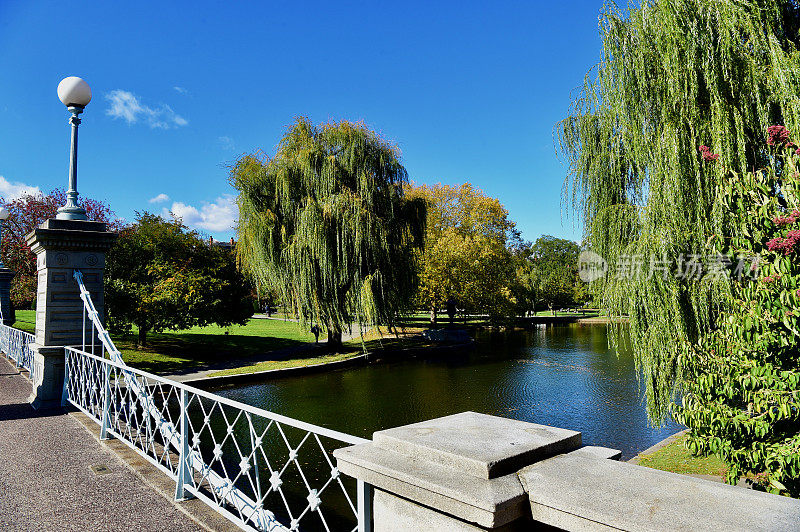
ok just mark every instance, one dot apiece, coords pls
pixel 467 255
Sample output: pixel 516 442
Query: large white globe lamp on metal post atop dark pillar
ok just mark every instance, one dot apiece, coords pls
pixel 75 94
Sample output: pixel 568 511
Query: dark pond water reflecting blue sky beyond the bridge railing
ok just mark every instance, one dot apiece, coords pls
pixel 564 376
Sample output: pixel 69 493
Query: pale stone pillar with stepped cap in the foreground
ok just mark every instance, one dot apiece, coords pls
pixel 455 473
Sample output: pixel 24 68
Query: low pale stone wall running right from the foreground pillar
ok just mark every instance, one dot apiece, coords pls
pixel 574 492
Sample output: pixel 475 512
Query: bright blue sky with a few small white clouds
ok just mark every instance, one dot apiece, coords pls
pixel 470 91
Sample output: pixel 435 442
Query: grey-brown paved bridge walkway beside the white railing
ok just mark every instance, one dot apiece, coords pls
pixel 46 476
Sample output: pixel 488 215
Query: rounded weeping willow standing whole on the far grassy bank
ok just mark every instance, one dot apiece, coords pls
pixel 326 223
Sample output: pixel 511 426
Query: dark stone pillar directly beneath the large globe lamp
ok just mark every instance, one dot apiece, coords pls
pixel 61 247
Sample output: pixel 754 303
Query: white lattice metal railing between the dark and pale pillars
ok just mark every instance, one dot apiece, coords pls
pixel 262 470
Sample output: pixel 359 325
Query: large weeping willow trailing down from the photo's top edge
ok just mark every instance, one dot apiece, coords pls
pixel 673 75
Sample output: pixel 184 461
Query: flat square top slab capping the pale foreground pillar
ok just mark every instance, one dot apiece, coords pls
pixel 480 445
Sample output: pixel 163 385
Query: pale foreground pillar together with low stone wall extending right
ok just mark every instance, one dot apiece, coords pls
pixel 470 472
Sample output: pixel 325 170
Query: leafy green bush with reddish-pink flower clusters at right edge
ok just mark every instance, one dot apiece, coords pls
pixel 741 392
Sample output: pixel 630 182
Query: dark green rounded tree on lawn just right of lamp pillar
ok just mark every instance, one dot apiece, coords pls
pixel 160 275
